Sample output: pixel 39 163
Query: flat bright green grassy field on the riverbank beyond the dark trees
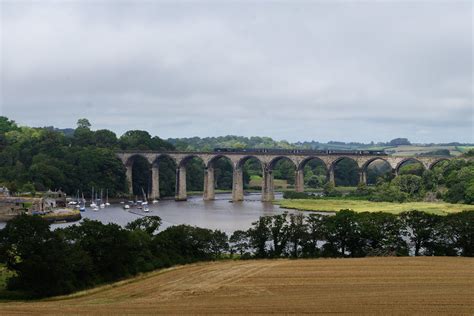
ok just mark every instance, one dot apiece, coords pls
pixel 328 205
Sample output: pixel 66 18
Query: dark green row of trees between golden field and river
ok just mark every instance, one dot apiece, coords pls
pixel 49 262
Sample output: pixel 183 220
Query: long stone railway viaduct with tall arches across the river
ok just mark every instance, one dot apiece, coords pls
pixel 267 161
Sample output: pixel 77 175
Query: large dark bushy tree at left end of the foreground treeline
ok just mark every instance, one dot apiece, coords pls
pixel 44 263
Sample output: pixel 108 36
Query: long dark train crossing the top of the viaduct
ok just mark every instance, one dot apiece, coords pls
pixel 302 151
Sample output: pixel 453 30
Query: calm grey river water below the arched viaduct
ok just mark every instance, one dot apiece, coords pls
pixel 218 214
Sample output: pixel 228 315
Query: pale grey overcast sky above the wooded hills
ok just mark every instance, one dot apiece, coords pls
pixel 292 70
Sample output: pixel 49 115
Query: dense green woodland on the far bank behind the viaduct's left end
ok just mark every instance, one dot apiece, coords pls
pixel 38 159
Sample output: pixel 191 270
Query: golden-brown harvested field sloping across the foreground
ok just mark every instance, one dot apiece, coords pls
pixel 371 285
